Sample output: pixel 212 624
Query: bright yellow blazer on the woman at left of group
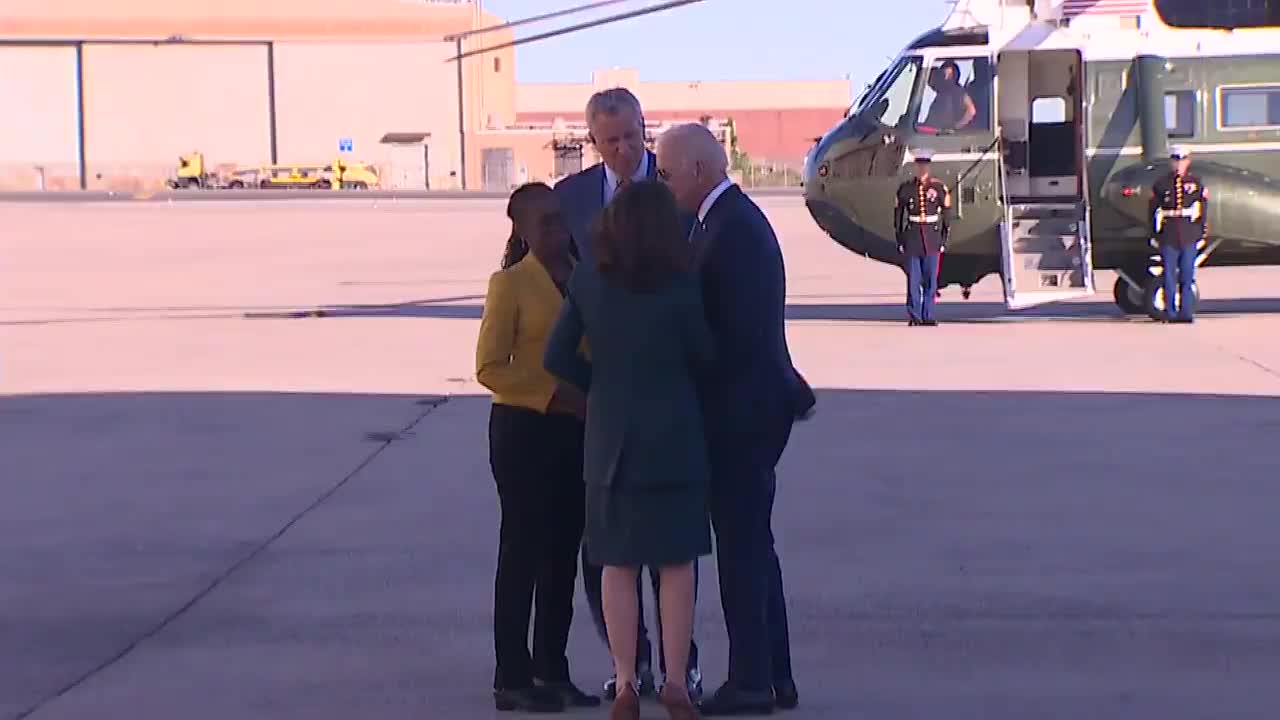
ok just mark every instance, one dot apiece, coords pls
pixel 520 311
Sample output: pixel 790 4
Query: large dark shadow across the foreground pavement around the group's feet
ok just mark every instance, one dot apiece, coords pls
pixel 947 554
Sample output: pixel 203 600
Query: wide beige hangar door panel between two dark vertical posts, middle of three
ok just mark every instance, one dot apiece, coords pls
pixel 148 104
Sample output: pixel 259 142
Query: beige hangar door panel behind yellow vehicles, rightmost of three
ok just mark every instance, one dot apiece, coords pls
pixel 330 92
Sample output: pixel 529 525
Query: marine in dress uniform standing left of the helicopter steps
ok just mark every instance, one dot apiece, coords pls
pixel 922 222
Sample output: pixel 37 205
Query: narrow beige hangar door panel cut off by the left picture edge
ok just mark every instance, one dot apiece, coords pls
pixel 39 125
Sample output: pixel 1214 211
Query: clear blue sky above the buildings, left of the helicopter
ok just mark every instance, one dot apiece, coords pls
pixel 725 39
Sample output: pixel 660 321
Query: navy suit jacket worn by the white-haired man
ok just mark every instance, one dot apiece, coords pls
pixel 755 394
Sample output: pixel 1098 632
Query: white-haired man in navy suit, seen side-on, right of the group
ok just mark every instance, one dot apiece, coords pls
pixel 751 400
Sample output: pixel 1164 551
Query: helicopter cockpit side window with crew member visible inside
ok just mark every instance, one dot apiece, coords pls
pixel 957 97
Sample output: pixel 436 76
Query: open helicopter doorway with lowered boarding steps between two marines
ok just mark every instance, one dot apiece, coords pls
pixel 1045 235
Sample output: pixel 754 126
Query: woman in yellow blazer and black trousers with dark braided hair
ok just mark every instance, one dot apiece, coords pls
pixel 536 452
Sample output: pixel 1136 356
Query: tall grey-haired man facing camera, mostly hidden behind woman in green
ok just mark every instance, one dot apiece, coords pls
pixel 615 125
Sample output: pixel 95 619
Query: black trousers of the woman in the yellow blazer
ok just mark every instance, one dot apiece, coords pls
pixel 537 463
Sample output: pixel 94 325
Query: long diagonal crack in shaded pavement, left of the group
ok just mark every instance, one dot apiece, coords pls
pixel 385 443
